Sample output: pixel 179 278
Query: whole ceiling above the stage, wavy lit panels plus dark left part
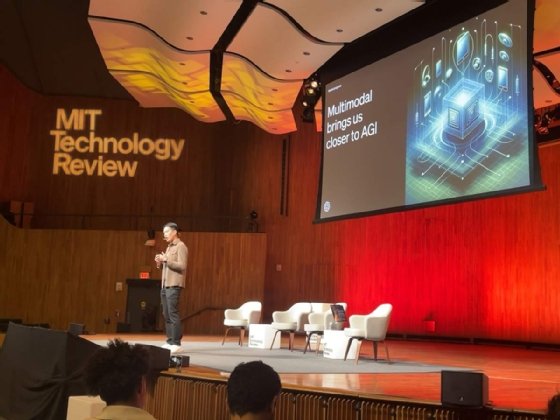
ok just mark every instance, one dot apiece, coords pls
pixel 216 60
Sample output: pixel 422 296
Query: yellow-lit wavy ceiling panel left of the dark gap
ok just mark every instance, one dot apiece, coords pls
pixel 155 73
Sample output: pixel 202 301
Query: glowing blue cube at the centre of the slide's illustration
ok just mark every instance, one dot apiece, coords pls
pixel 462 105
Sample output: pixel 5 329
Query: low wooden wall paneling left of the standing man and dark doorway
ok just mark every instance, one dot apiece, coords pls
pixel 67 276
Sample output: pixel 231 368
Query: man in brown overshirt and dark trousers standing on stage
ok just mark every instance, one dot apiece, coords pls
pixel 173 263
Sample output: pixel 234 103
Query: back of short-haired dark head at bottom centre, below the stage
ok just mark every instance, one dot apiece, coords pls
pixel 252 390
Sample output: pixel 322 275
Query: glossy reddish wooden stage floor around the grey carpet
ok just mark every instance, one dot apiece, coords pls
pixel 519 379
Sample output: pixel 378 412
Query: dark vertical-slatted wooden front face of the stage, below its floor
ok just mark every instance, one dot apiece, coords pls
pixel 187 397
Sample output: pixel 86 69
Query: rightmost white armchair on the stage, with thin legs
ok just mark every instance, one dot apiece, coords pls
pixel 372 327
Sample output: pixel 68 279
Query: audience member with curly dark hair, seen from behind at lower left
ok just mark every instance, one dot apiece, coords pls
pixel 118 373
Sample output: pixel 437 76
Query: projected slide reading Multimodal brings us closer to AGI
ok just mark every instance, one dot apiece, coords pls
pixel 447 119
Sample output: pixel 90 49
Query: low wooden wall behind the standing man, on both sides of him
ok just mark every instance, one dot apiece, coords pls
pixel 63 276
